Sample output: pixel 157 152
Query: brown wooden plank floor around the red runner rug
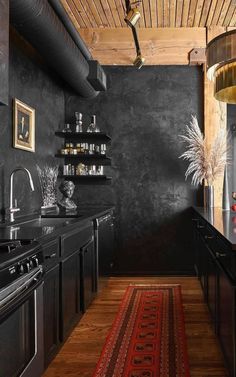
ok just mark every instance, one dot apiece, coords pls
pixel 80 353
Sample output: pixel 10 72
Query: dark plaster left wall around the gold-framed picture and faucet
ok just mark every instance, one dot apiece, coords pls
pixel 31 83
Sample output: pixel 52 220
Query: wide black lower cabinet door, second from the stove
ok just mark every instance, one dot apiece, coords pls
pixel 70 294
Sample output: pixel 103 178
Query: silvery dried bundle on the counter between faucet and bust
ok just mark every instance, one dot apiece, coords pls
pixel 48 178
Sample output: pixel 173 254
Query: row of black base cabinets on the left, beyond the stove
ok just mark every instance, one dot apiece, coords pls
pixel 69 285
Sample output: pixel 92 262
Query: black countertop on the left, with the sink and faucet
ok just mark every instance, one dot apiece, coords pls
pixel 42 227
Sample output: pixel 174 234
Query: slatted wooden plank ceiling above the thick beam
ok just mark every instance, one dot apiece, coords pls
pixel 154 13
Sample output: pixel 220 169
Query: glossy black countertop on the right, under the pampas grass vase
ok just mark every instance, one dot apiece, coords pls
pixel 223 221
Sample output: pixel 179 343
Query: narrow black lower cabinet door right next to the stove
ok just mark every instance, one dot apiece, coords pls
pixel 51 314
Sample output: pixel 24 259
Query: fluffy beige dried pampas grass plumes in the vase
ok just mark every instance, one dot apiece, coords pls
pixel 205 163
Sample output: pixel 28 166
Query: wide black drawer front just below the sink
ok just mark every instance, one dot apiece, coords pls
pixel 74 240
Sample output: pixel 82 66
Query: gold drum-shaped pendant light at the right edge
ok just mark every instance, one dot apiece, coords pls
pixel 221 66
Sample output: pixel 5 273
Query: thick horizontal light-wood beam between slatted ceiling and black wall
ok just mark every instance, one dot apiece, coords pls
pixel 159 46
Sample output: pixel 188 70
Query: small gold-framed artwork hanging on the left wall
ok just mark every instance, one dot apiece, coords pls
pixel 23 126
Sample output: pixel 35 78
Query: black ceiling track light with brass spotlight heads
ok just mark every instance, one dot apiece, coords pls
pixel 132 17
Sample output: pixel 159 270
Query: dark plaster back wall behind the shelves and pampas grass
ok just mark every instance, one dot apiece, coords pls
pixel 144 112
